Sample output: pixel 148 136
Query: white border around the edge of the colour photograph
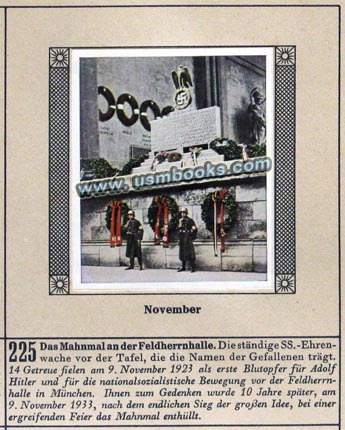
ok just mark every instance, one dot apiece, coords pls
pixel 65 115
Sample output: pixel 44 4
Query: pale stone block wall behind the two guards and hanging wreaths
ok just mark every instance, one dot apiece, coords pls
pixel 245 244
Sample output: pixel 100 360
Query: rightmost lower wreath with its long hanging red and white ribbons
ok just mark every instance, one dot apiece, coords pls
pixel 219 211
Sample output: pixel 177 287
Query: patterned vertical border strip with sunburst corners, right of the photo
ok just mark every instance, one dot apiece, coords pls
pixel 285 142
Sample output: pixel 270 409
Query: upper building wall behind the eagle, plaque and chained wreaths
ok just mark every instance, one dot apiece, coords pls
pixel 217 81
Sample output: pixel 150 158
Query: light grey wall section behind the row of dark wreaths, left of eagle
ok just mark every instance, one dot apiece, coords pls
pixel 145 79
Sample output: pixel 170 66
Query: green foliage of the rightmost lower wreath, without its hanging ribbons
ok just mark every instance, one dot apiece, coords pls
pixel 230 210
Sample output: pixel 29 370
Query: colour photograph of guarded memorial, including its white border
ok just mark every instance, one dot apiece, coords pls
pixel 172 159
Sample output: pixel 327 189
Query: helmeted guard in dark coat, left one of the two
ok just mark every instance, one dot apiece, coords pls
pixel 134 232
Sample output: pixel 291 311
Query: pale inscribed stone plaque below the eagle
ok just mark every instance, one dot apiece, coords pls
pixel 193 128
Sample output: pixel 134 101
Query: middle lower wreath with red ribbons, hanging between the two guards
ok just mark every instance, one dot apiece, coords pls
pixel 163 217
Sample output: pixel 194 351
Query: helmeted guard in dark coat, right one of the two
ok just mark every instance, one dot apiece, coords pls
pixel 187 234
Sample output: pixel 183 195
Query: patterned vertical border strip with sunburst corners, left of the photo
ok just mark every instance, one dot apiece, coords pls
pixel 59 93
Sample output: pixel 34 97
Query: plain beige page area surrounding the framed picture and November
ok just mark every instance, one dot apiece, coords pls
pixel 313 310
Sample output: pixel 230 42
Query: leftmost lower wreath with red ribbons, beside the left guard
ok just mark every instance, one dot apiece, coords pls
pixel 115 217
